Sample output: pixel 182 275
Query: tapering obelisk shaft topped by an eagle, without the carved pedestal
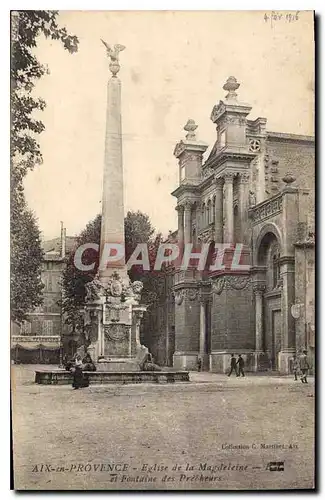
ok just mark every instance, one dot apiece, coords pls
pixel 112 227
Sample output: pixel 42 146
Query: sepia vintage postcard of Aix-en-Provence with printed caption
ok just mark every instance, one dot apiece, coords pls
pixel 162 250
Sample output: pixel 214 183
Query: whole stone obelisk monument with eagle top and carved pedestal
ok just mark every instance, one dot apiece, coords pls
pixel 112 311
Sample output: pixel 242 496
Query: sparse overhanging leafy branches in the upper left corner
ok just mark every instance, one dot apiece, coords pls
pixel 27 26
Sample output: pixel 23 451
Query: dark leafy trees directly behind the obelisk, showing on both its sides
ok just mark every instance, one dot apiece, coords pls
pixel 138 229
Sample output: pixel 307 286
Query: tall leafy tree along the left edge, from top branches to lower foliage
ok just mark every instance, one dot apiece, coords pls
pixel 25 153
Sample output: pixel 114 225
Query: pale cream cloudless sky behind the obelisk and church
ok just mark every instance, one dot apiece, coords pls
pixel 173 69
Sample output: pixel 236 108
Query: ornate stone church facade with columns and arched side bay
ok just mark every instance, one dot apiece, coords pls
pixel 257 189
